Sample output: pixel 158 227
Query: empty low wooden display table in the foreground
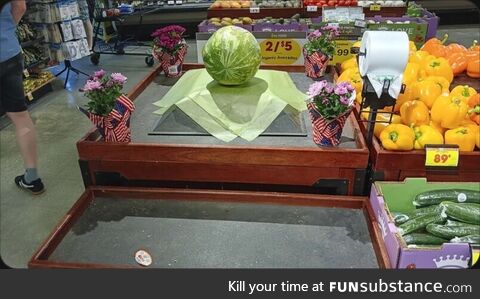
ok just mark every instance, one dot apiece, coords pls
pixel 214 229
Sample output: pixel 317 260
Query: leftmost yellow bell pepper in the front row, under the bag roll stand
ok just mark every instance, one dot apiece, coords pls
pixel 397 137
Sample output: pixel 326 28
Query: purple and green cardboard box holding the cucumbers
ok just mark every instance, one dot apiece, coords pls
pixel 398 196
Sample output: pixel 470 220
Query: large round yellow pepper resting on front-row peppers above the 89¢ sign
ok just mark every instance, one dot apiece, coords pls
pixel 448 111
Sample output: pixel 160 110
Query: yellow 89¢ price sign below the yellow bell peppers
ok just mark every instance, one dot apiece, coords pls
pixel 441 156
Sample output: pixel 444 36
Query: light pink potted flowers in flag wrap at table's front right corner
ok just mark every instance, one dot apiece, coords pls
pixel 329 106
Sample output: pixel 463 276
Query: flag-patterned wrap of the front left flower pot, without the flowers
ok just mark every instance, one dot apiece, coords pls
pixel 115 127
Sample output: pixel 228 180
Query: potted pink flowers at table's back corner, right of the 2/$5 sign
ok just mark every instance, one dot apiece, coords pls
pixel 318 50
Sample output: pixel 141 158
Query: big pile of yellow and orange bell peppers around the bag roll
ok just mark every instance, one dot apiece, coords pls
pixel 430 111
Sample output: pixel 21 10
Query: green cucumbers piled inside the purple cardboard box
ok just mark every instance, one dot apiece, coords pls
pixel 441 216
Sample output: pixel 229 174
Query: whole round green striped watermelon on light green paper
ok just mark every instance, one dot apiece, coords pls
pixel 232 55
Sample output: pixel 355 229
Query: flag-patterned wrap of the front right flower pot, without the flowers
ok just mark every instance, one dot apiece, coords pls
pixel 326 132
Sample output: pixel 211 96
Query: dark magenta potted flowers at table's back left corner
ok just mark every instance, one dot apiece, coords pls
pixel 170 48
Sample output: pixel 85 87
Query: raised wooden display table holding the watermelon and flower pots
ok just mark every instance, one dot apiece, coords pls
pixel 276 163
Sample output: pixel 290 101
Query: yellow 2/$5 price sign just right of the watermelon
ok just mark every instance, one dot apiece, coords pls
pixel 280 51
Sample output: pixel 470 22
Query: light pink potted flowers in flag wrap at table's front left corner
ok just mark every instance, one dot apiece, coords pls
pixel 108 108
